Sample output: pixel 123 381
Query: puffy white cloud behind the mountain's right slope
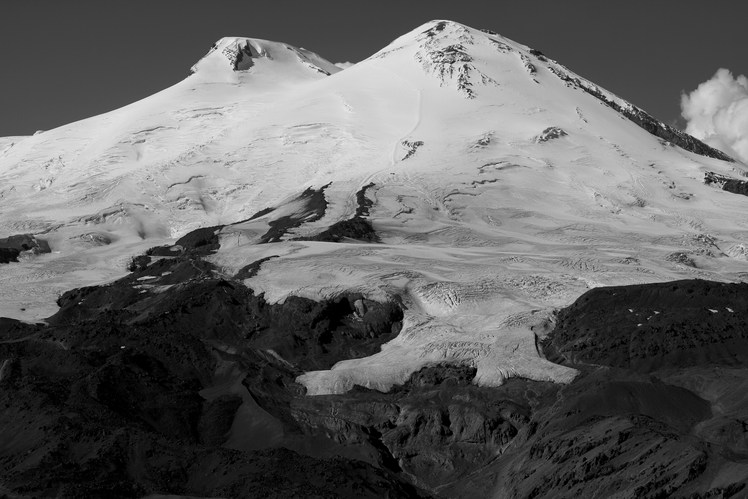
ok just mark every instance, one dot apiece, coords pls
pixel 717 113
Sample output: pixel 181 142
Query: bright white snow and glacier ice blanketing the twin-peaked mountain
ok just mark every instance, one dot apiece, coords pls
pixel 503 186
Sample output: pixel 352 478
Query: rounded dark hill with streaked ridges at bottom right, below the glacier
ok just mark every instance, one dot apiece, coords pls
pixel 610 433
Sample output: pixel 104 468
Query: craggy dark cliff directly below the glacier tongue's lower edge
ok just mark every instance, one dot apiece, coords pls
pixel 436 427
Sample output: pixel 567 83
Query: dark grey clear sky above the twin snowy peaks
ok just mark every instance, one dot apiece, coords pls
pixel 61 61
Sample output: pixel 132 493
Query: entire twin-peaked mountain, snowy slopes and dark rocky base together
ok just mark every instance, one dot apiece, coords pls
pixel 400 273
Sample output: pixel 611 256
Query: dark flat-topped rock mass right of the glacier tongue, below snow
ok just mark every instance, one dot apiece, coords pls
pixel 655 326
